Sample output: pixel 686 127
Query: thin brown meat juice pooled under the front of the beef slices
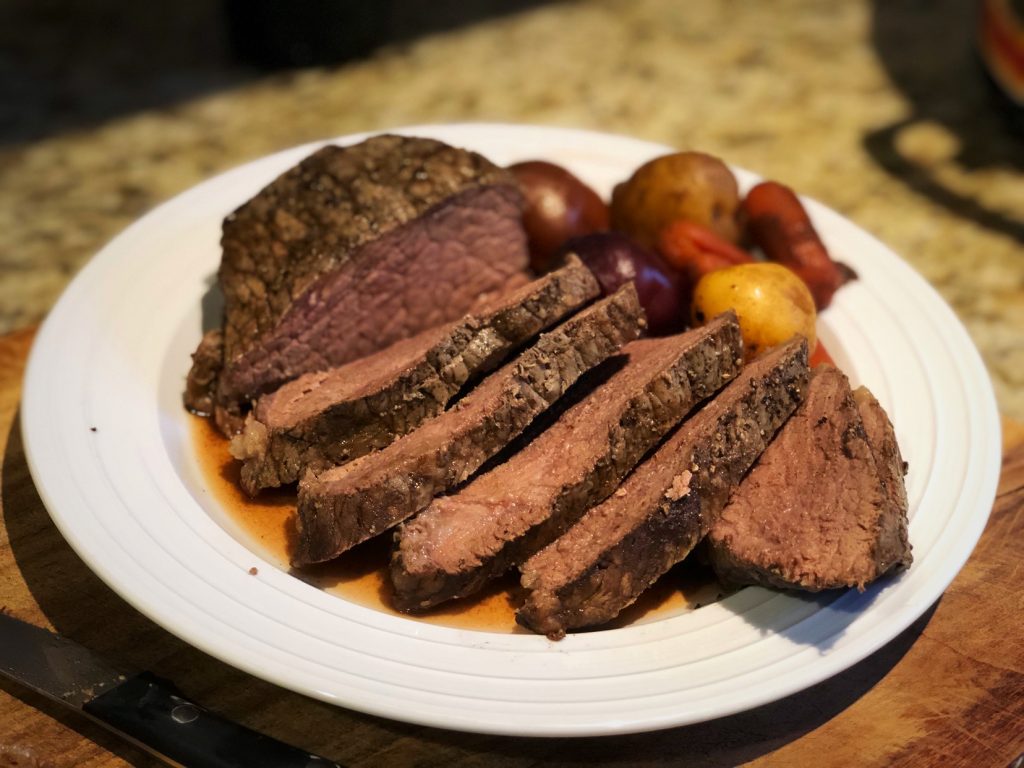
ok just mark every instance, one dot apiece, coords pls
pixel 361 575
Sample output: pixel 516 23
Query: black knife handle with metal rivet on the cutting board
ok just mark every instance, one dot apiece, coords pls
pixel 152 713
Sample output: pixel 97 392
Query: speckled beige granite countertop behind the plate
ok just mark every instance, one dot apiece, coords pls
pixel 835 100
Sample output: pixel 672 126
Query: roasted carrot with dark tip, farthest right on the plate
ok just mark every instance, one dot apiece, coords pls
pixel 778 223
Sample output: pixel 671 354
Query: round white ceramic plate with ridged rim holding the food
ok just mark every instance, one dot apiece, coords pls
pixel 132 501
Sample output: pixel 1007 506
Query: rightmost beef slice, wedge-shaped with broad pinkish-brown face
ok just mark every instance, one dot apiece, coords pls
pixel 815 515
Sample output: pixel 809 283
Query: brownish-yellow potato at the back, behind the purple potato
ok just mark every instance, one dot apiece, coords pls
pixel 689 186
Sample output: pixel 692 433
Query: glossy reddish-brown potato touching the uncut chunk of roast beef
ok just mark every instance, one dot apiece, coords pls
pixel 559 207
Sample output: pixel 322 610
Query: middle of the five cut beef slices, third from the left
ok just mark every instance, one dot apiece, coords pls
pixel 504 517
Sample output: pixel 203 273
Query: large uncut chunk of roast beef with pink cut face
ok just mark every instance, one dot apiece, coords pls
pixel 359 247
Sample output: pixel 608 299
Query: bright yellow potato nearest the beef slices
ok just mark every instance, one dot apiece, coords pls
pixel 774 305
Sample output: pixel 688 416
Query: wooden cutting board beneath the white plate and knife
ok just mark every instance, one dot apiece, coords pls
pixel 948 692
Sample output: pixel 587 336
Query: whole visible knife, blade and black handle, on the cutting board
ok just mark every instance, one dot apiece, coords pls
pixel 144 709
